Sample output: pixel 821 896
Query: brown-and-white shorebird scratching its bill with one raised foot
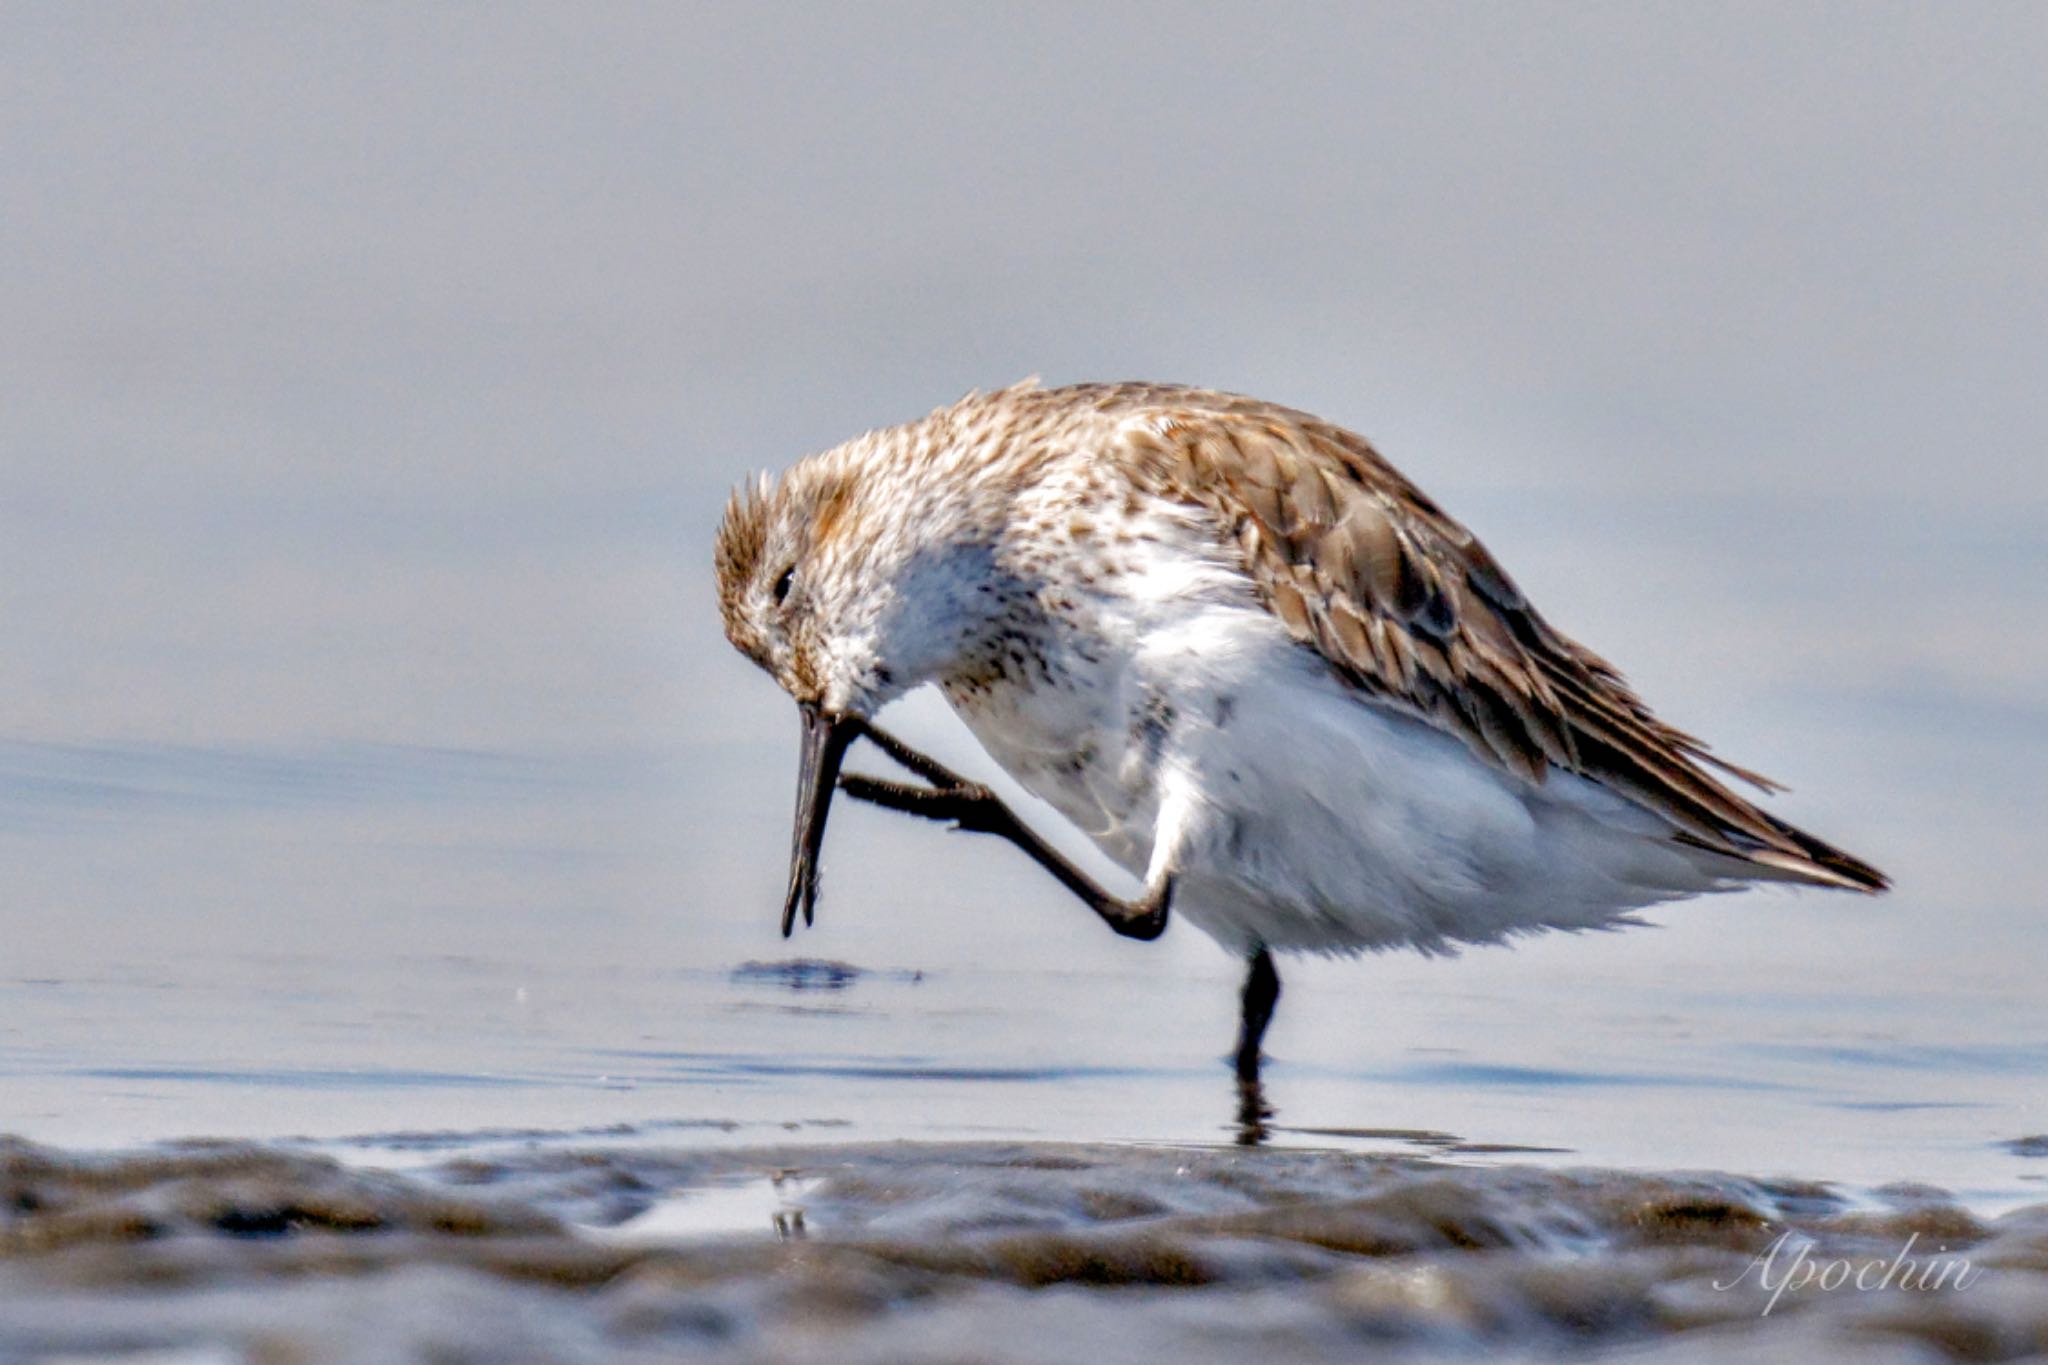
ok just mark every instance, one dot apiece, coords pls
pixel 1250 660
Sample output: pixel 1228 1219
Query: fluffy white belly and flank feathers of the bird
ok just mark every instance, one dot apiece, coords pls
pixel 1302 818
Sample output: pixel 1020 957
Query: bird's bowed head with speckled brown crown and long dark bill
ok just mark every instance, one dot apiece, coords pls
pixel 851 582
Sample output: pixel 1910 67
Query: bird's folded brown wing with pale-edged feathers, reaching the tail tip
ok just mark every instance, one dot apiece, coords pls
pixel 1414 613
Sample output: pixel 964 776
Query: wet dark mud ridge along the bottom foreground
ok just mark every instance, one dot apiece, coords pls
pixel 984 1253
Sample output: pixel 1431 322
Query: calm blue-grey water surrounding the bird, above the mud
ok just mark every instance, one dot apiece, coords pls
pixel 370 754
